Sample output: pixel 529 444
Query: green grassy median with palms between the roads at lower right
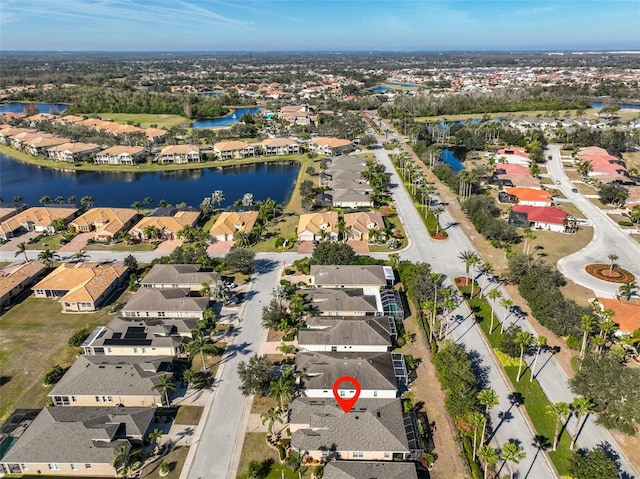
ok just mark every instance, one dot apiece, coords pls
pixel 531 395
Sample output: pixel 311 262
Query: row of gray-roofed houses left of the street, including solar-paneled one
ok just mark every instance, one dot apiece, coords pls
pixel 109 397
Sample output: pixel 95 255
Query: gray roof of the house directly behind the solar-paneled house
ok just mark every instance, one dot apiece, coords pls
pixel 168 300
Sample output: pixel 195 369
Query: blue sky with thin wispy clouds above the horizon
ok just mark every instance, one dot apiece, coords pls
pixel 318 25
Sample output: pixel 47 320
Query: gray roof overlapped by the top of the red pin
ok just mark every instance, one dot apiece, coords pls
pixel 322 370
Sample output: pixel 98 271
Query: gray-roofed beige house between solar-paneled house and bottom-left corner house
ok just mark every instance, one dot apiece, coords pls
pixel 100 381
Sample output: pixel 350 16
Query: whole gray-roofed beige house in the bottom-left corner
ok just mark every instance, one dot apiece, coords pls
pixel 77 442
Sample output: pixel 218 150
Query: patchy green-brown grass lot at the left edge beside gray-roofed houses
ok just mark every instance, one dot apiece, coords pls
pixel 34 338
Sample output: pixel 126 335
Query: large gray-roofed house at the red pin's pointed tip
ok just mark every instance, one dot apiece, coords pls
pixel 374 430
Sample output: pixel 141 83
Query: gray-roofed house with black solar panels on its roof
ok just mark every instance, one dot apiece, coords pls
pixel 139 337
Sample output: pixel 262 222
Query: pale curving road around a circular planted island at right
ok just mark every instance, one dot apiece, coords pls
pixel 608 237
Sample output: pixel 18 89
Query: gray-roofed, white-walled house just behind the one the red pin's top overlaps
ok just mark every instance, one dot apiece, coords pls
pixel 350 334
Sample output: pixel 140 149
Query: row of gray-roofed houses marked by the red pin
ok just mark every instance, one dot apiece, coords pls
pixel 375 436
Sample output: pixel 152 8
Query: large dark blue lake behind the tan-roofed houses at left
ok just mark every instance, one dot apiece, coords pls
pixel 122 189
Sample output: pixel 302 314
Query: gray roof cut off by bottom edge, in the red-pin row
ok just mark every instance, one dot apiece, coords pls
pixel 369 470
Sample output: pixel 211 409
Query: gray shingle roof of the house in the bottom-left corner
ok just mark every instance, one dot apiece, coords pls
pixel 79 435
